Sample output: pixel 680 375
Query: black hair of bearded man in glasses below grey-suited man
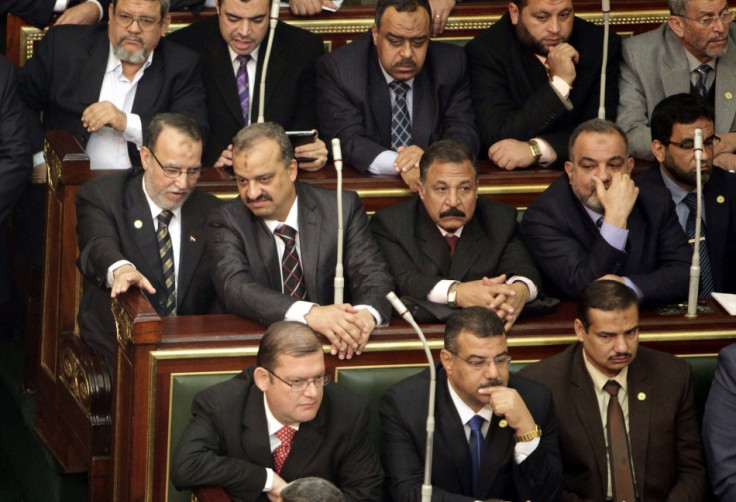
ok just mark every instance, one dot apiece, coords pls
pixel 678 109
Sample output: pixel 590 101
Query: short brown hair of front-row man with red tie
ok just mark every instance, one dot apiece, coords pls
pixel 286 337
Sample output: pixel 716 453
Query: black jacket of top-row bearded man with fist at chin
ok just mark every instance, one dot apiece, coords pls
pixel 511 92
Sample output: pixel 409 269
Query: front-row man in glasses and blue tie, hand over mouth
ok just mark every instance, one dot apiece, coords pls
pixel 495 434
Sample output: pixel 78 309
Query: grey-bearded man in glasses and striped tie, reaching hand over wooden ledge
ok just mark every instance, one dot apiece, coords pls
pixel 119 227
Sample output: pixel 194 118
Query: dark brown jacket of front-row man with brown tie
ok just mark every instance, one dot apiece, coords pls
pixel 664 436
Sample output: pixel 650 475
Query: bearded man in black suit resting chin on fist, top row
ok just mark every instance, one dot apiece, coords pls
pixel 535 76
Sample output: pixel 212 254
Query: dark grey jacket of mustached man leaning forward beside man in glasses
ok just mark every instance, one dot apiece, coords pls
pixel 246 269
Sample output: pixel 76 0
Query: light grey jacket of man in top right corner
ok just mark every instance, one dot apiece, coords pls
pixel 654 66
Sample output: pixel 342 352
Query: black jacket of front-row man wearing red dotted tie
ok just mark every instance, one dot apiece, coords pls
pixel 227 444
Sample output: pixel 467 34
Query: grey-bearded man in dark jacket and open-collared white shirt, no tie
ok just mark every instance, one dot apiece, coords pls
pixel 104 84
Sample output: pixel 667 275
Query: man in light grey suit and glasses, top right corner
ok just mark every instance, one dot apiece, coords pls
pixel 693 52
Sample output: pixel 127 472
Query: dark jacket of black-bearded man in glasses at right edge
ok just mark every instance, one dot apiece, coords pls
pixel 720 216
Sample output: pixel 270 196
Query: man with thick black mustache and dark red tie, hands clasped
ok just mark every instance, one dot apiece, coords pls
pixel 449 249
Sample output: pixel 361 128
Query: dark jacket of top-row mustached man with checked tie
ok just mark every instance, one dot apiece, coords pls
pixel 353 101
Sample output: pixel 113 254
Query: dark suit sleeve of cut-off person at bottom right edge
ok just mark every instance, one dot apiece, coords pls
pixel 718 437
